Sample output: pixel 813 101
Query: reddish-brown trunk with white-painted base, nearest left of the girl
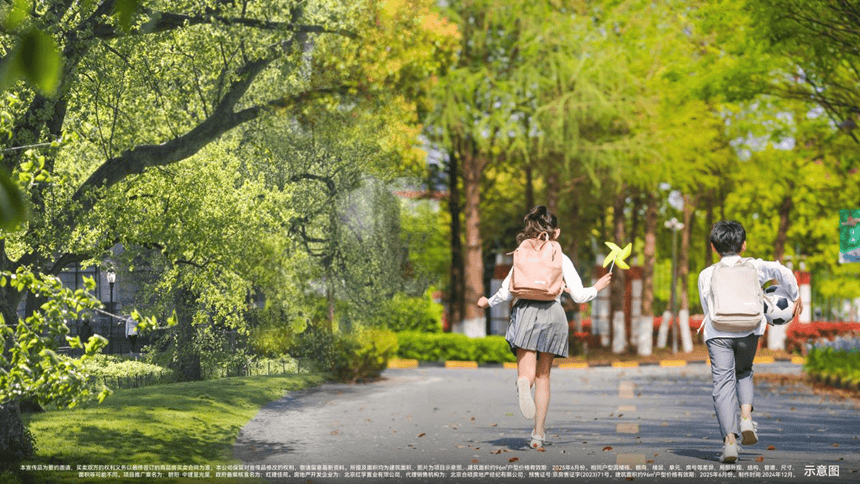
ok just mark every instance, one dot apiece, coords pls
pixel 473 165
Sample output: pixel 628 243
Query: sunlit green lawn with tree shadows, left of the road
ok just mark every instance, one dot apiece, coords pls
pixel 192 423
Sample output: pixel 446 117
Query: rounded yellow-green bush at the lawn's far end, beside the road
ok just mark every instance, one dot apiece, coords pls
pixel 362 354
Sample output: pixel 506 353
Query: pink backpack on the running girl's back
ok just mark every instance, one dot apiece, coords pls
pixel 537 272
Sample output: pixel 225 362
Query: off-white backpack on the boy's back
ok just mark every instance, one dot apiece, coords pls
pixel 736 303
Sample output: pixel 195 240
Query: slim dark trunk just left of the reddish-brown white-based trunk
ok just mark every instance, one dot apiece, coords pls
pixel 456 298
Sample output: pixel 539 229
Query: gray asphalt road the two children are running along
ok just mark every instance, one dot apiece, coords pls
pixel 647 424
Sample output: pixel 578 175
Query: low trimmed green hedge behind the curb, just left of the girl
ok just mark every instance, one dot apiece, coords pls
pixel 450 346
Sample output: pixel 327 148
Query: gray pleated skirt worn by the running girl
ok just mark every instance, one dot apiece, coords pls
pixel 539 326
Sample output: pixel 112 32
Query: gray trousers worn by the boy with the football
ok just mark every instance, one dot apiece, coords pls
pixel 731 370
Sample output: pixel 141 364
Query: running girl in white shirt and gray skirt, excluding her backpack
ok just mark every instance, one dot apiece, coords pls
pixel 539 330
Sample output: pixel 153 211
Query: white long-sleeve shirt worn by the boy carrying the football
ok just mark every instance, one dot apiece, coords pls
pixel 767 270
